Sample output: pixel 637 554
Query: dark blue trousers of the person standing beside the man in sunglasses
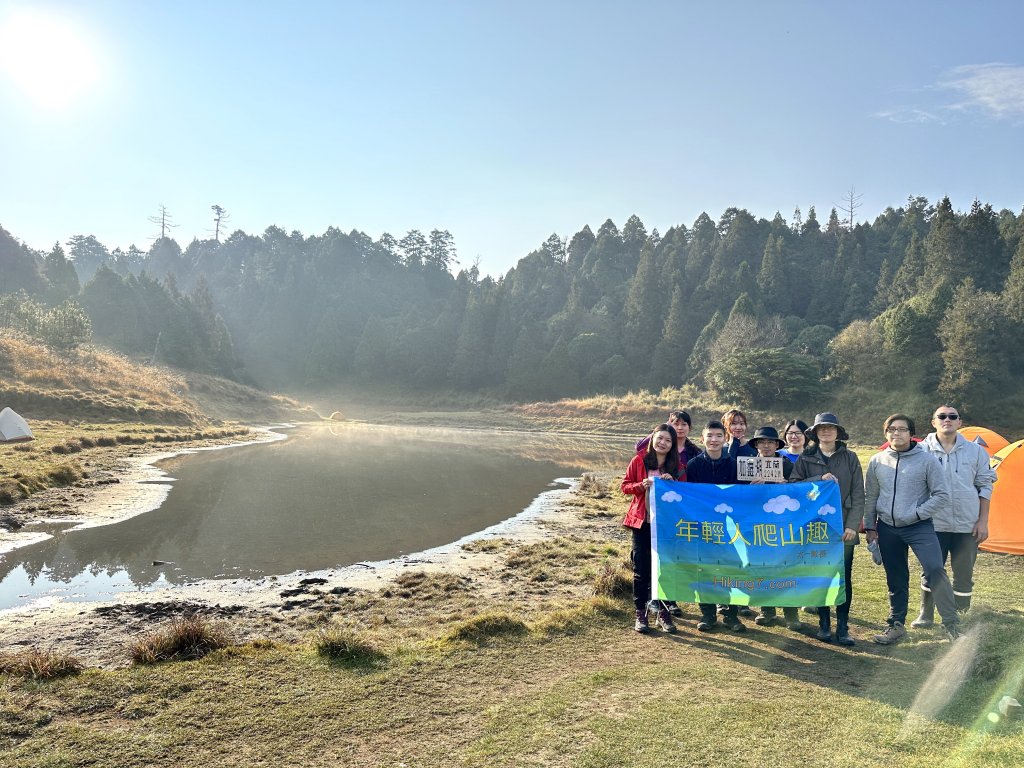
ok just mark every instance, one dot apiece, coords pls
pixel 893 544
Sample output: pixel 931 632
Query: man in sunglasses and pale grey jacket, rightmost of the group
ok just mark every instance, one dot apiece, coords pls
pixel 962 525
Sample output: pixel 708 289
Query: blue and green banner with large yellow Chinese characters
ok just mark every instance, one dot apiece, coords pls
pixel 770 544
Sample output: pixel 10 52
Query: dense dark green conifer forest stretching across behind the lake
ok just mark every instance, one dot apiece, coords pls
pixel 924 300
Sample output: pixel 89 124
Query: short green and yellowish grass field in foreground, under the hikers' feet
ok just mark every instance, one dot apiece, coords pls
pixel 445 676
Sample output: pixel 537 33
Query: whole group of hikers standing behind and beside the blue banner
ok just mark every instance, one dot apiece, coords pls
pixel 929 496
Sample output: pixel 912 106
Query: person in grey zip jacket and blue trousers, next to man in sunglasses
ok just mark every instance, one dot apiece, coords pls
pixel 905 487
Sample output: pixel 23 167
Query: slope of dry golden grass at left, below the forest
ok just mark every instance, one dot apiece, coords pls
pixel 96 385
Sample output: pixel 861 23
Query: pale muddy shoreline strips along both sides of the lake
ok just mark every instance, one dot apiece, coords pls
pixel 281 608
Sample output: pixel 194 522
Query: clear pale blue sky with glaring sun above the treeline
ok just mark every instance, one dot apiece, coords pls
pixel 501 122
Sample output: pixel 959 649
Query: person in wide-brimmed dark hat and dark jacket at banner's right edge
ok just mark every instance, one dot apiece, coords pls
pixel 828 459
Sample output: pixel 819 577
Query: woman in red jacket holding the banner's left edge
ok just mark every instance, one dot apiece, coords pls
pixel 661 460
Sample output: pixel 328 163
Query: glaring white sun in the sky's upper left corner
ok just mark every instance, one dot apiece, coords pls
pixel 48 58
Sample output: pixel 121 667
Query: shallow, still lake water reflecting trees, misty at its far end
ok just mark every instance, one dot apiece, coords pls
pixel 325 498
